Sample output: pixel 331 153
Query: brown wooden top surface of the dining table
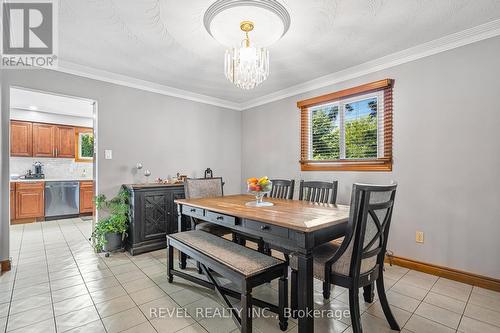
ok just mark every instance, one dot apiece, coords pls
pixel 293 214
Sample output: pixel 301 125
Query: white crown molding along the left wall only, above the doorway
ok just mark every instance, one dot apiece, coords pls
pixel 123 80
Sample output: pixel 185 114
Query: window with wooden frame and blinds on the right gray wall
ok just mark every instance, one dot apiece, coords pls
pixel 348 130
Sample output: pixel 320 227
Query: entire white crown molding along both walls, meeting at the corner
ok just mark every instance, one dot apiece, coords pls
pixel 446 43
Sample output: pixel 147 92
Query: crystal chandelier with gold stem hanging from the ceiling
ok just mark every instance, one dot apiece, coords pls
pixel 247 66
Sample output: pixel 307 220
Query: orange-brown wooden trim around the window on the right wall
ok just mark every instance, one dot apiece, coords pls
pixel 379 164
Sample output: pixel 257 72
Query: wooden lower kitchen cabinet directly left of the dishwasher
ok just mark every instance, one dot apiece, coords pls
pixel 29 200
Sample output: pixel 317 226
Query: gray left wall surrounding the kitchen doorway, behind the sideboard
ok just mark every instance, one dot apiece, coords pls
pixel 167 134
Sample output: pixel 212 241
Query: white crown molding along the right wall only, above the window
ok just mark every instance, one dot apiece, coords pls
pixel 449 42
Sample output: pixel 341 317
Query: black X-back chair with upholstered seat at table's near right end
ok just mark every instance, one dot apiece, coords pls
pixel 359 261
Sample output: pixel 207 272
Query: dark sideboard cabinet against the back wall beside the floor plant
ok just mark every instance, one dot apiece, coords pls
pixel 153 215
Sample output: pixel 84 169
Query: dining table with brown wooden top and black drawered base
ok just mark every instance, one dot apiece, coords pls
pixel 289 226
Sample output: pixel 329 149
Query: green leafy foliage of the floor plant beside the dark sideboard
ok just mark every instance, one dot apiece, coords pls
pixel 116 219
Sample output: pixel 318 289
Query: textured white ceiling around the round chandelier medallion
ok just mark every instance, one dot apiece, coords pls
pixel 165 42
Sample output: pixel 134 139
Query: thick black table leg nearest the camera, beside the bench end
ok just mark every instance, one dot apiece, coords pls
pixel 305 293
